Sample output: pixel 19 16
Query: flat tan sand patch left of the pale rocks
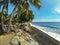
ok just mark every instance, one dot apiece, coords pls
pixel 5 39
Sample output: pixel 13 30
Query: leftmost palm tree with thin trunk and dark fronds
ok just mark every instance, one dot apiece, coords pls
pixel 4 7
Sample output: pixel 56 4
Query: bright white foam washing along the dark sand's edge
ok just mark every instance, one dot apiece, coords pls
pixel 54 35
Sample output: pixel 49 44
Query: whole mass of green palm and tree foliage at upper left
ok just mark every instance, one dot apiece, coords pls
pixel 21 9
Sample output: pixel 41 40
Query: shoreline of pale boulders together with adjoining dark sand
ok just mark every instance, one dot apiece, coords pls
pixel 34 37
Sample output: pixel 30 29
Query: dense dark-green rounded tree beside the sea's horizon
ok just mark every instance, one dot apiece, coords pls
pixel 25 18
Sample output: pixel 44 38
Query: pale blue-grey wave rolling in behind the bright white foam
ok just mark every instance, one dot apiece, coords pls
pixel 49 28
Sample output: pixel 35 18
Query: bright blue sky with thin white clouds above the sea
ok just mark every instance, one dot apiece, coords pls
pixel 49 11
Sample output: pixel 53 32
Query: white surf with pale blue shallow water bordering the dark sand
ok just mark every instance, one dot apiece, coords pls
pixel 50 32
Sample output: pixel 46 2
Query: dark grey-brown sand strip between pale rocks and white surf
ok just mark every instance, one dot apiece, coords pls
pixel 42 38
